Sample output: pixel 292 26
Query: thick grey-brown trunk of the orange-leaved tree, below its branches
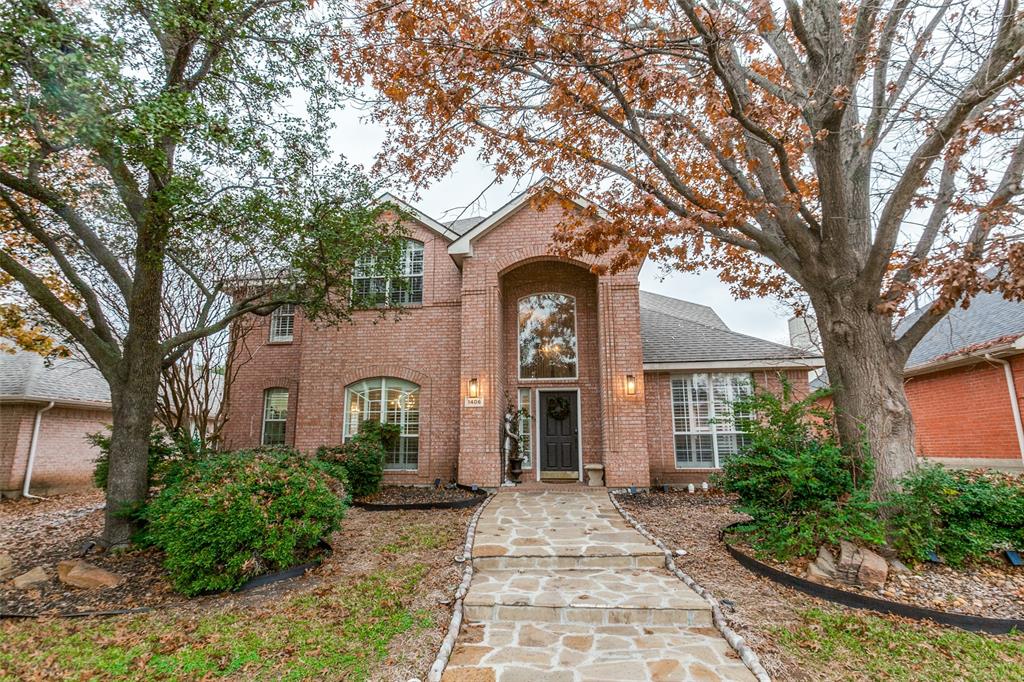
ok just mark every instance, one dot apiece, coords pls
pixel 866 370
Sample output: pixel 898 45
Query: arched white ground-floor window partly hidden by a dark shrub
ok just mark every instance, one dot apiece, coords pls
pixel 389 401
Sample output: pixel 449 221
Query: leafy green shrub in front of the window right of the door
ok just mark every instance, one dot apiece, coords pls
pixel 795 481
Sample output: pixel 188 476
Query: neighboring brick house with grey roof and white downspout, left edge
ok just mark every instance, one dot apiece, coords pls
pixel 46 414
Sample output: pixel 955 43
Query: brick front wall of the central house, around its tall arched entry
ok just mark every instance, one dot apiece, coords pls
pixel 466 331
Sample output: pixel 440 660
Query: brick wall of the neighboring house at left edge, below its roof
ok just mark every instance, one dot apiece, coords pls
pixel 64 460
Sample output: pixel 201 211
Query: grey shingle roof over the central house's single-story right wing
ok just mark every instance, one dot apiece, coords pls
pixel 679 333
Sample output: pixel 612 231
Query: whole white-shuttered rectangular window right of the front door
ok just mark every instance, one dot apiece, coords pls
pixel 704 419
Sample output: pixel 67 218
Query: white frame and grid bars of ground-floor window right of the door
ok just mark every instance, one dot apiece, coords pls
pixel 720 421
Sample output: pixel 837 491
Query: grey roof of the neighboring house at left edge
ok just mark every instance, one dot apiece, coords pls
pixel 25 376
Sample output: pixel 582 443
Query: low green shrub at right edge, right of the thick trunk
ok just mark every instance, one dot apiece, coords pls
pixel 959 516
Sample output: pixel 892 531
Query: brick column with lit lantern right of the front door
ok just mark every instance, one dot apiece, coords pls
pixel 624 416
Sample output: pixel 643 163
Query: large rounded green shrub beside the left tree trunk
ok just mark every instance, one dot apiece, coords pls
pixel 231 518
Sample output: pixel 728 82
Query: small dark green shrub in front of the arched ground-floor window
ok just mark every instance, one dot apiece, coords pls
pixel 361 460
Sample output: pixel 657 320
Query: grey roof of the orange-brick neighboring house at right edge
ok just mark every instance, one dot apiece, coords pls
pixel 990 318
